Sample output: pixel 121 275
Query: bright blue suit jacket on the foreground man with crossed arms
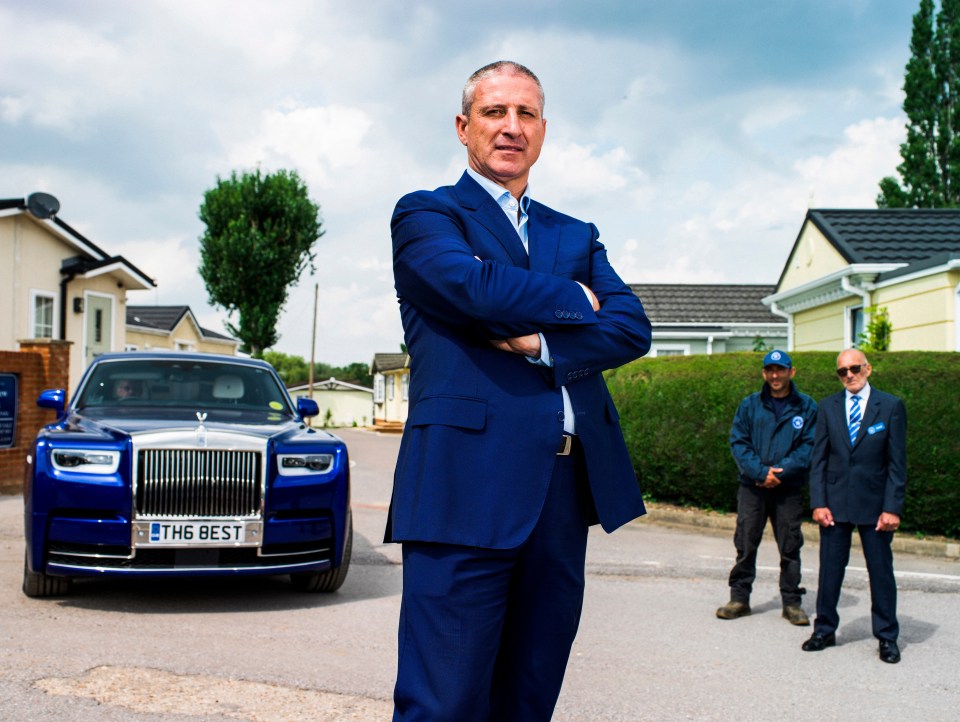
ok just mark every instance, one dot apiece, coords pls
pixel 484 425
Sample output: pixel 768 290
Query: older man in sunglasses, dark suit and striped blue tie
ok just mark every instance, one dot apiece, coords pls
pixel 858 480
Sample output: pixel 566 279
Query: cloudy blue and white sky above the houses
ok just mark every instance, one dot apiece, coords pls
pixel 694 133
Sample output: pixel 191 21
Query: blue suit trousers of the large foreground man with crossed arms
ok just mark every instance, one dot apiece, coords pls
pixel 485 634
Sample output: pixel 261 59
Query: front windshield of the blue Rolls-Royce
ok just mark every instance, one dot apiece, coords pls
pixel 210 386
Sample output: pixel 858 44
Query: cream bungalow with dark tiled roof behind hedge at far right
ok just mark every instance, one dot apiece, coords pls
pixel 845 264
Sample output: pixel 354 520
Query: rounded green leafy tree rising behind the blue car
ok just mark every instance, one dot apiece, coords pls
pixel 259 239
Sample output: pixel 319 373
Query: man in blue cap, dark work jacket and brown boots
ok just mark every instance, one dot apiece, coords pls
pixel 772 443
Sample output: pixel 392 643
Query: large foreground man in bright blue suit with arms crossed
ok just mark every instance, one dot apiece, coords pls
pixel 512 445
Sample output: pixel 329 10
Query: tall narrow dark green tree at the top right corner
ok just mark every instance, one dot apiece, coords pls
pixel 930 171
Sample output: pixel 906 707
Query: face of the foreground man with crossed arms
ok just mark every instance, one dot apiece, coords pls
pixel 505 129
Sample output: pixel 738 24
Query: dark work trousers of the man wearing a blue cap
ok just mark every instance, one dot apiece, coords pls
pixel 783 506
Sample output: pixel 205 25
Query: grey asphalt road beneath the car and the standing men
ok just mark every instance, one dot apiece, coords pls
pixel 649 646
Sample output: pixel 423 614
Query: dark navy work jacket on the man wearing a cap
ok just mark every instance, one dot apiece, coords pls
pixel 760 439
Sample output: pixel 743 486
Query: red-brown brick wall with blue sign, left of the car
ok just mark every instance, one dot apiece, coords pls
pixel 40 364
